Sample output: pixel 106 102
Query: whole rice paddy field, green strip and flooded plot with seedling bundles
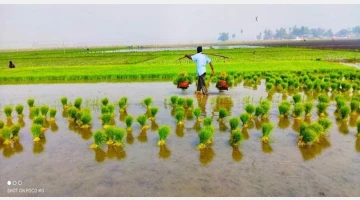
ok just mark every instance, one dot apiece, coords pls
pixel 114 124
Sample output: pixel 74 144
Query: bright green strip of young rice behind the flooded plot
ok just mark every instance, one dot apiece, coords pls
pixel 76 65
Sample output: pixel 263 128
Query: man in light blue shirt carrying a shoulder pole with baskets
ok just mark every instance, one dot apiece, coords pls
pixel 201 61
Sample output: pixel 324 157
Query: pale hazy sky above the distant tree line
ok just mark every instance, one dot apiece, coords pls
pixel 29 26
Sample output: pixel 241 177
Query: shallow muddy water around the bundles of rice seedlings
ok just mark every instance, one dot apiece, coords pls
pixel 65 166
